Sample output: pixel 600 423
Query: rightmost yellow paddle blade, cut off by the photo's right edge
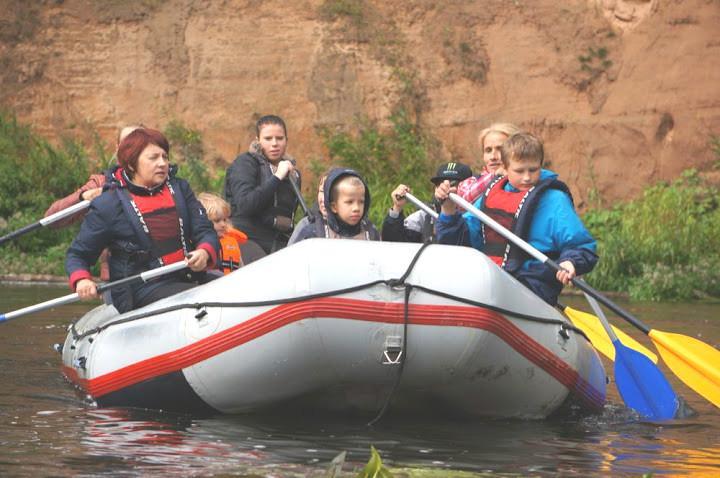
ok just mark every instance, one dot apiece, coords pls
pixel 693 361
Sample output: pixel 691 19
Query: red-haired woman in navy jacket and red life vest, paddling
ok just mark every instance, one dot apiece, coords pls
pixel 147 218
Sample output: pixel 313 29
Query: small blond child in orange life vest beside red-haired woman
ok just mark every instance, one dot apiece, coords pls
pixel 218 211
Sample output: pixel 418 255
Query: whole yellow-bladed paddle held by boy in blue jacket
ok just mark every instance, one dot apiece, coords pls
pixel 693 361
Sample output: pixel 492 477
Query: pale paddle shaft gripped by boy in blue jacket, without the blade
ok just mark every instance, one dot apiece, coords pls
pixel 580 284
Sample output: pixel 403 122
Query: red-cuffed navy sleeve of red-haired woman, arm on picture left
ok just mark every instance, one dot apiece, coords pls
pixel 94 236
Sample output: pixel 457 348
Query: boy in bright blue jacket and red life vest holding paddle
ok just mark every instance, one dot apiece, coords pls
pixel 534 205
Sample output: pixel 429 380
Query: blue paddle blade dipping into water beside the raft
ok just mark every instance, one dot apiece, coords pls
pixel 642 385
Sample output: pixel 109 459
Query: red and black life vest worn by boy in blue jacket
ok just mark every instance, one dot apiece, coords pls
pixel 514 211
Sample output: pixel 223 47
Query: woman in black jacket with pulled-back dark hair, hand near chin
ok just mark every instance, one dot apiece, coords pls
pixel 257 187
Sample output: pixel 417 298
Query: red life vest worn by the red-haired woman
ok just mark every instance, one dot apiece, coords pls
pixel 160 220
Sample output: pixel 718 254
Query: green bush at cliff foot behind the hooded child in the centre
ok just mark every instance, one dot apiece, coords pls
pixel 386 158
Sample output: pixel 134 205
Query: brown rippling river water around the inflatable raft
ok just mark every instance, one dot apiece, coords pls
pixel 48 429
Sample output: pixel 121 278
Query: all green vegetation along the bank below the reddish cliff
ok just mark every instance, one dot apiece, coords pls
pixel 664 245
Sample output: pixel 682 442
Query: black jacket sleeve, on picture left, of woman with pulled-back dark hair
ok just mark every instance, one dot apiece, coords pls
pixel 246 196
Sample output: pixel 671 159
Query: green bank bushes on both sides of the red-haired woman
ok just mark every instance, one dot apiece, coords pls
pixel 34 173
